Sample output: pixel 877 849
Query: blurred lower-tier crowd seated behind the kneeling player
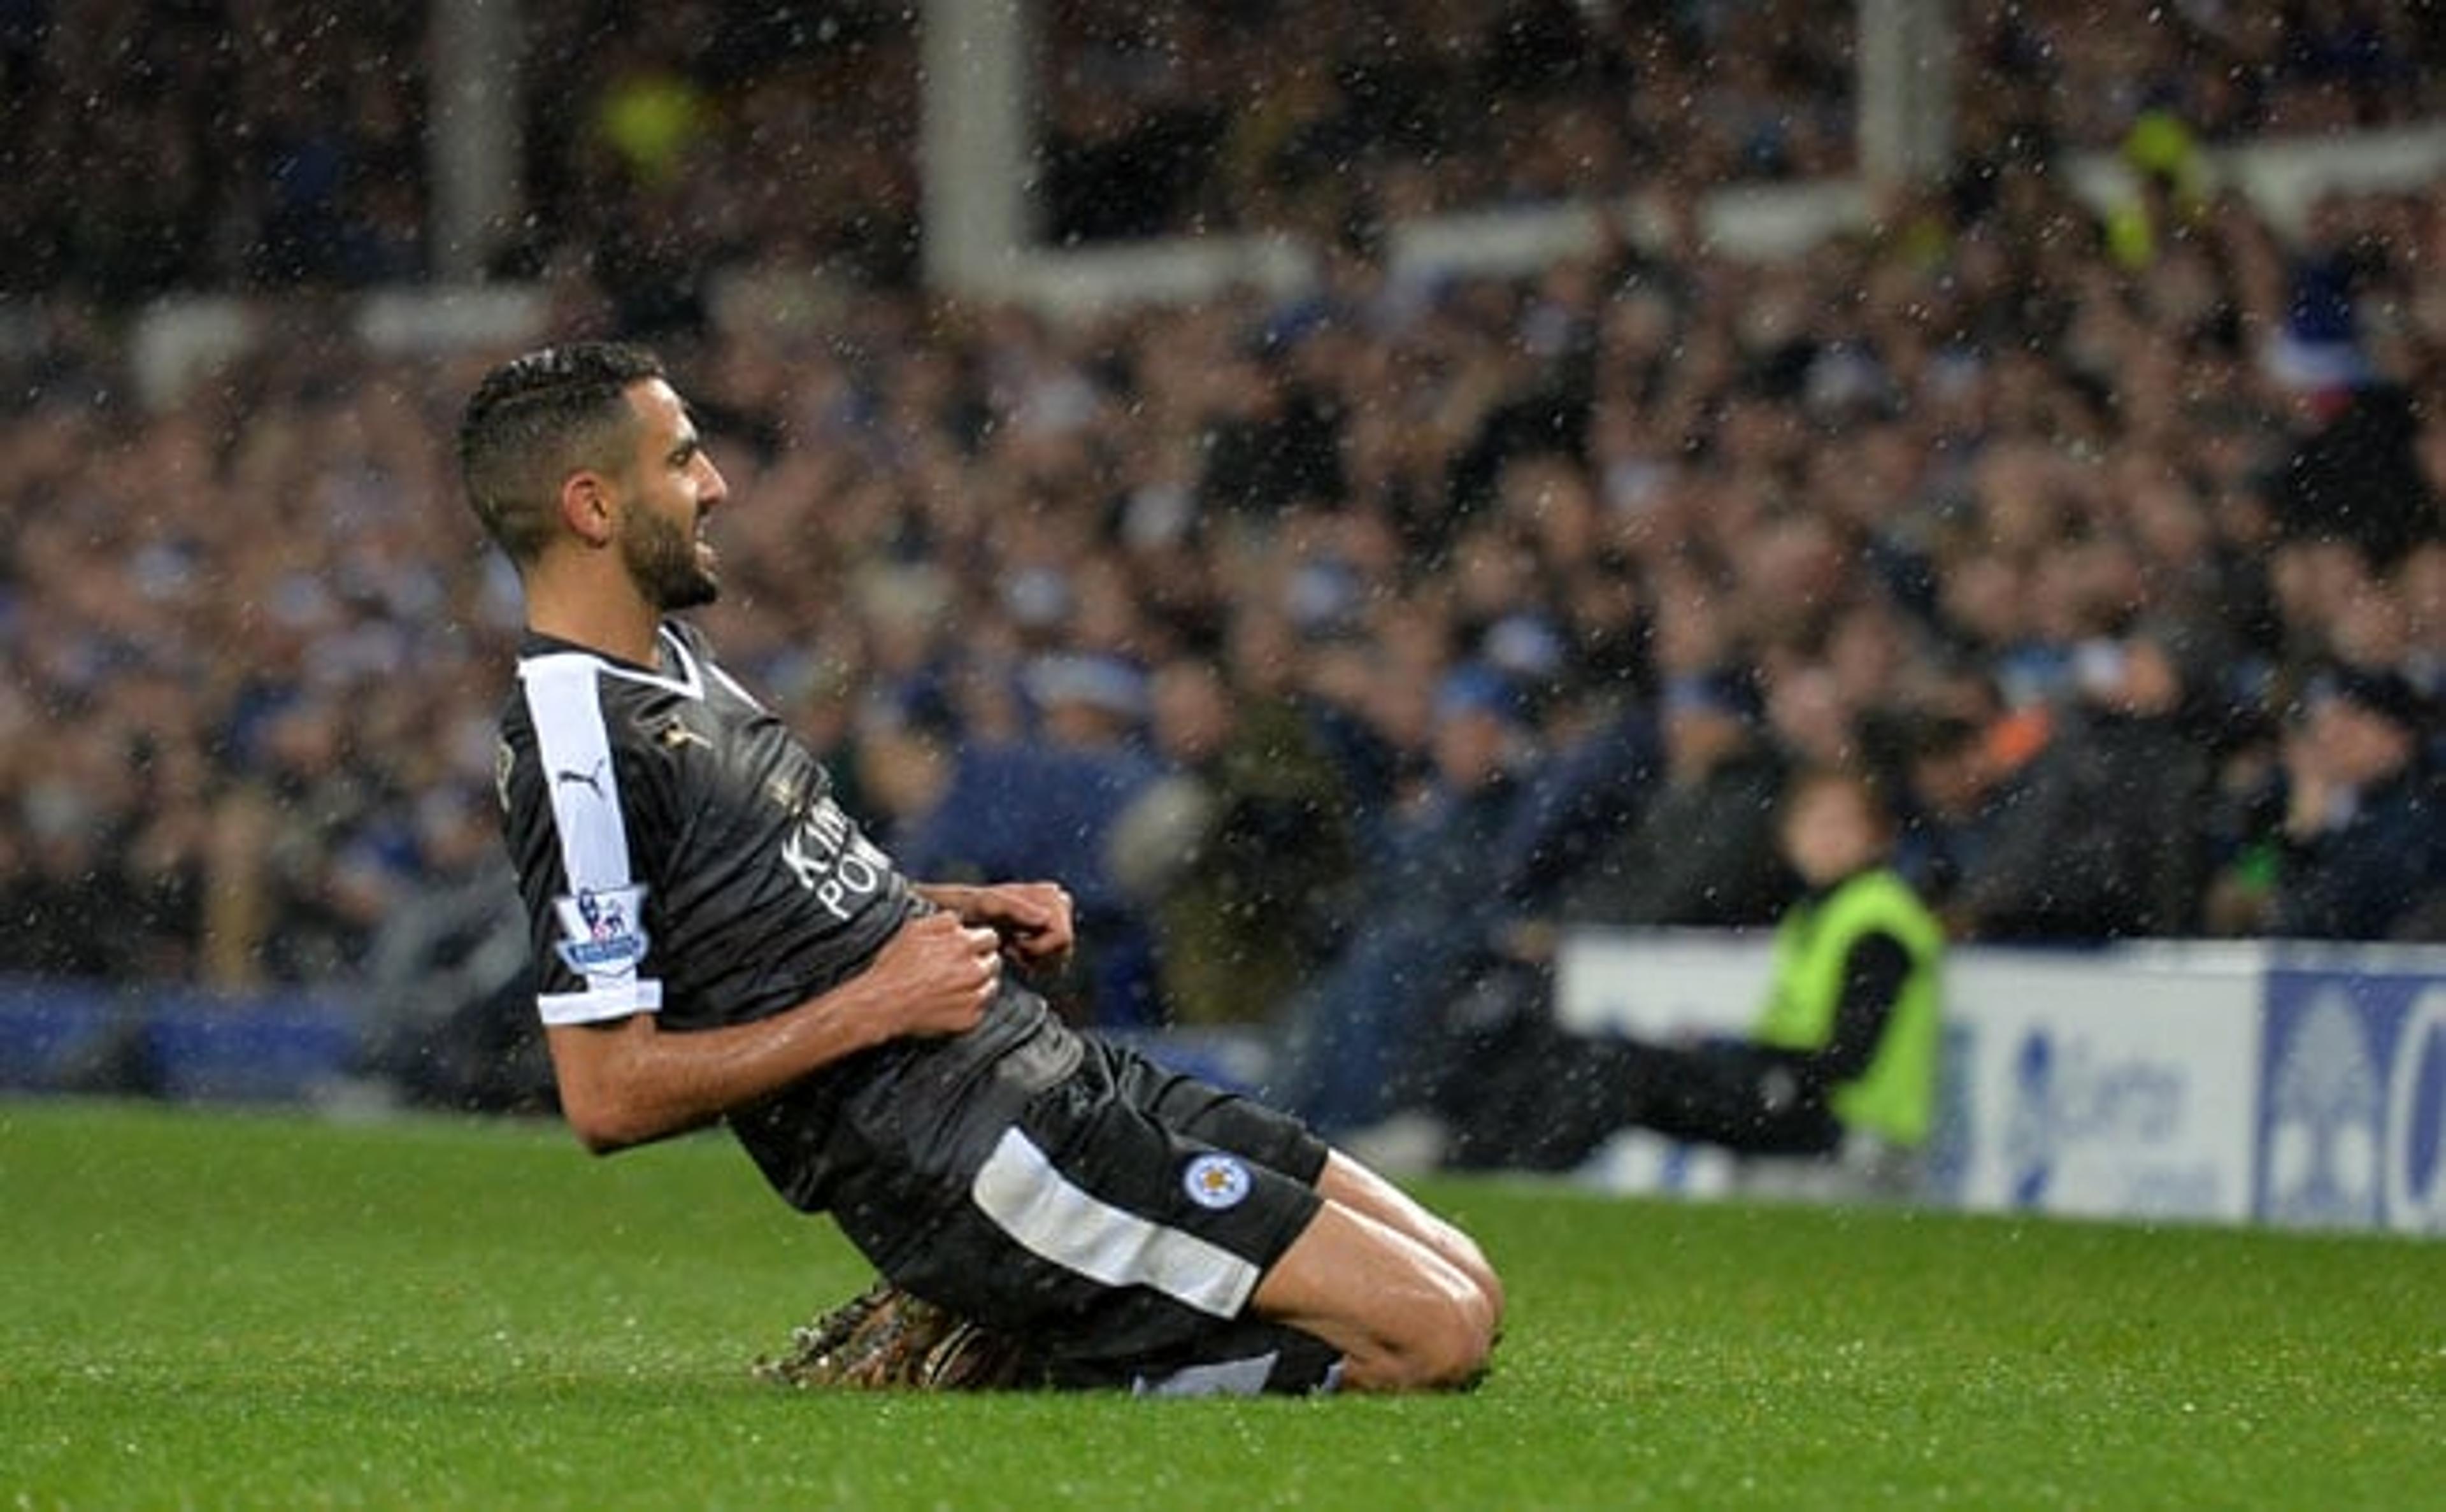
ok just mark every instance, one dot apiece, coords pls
pixel 1347 645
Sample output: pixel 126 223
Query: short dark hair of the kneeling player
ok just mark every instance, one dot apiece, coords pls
pixel 532 422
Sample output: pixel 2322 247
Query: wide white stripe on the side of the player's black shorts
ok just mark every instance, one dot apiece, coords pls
pixel 1036 1205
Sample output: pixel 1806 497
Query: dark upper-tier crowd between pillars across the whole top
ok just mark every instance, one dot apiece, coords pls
pixel 160 146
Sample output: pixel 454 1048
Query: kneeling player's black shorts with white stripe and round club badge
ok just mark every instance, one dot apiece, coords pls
pixel 1119 1220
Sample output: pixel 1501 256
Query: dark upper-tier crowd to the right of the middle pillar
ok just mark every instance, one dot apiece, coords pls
pixel 1178 116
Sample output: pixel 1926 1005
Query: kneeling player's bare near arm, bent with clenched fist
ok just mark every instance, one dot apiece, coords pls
pixel 632 1083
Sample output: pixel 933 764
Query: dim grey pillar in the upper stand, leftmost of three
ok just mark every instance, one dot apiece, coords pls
pixel 476 143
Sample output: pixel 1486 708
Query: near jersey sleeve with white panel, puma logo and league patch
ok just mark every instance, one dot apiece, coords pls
pixel 578 860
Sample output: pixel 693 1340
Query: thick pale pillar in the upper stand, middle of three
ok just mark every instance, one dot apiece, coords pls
pixel 975 143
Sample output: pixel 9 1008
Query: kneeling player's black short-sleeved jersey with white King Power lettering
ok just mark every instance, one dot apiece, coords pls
pixel 681 855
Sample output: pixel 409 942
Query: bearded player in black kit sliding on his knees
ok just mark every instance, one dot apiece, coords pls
pixel 720 943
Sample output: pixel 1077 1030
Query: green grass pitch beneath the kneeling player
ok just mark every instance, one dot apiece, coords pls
pixel 216 1310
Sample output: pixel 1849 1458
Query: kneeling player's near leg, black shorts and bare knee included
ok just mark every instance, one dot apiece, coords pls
pixel 1148 1232
